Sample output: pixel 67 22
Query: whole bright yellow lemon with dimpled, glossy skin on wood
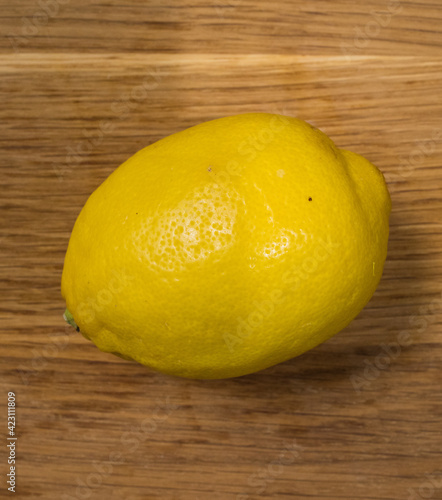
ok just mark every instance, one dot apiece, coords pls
pixel 228 247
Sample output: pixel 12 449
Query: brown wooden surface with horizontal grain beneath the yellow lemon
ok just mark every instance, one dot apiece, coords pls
pixel 87 84
